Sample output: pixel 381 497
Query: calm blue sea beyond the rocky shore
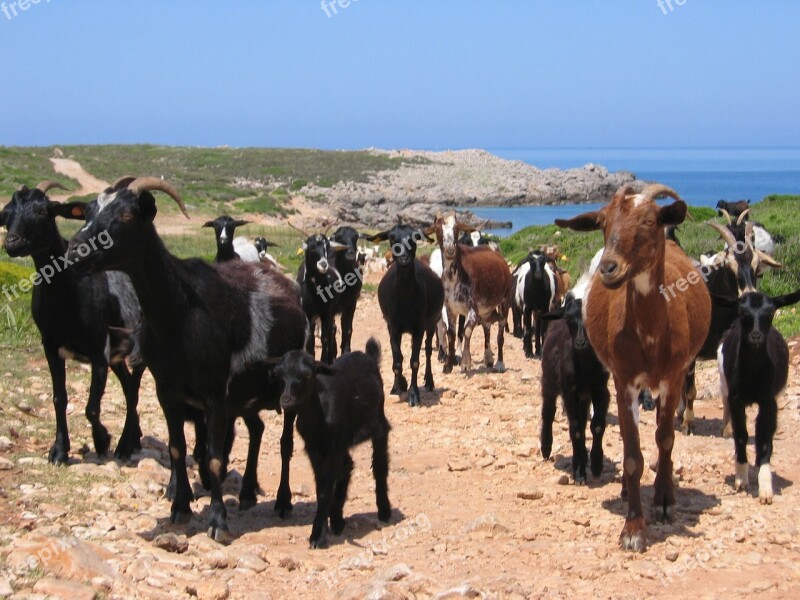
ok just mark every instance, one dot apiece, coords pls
pixel 701 176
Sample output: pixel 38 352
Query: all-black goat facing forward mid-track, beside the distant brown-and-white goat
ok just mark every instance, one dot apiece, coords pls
pixel 411 297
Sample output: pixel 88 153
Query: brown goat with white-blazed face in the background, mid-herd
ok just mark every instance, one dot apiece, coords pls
pixel 477 284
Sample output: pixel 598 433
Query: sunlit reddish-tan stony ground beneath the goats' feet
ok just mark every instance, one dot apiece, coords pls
pixel 477 512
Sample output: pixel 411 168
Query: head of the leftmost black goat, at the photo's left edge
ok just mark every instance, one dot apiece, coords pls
pixel 30 219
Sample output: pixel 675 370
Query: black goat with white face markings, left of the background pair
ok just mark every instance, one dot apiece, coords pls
pixel 321 287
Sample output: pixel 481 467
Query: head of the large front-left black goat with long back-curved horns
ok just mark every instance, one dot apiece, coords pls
pixel 124 215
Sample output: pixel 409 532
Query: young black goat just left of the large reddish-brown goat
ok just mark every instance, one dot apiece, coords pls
pixel 570 369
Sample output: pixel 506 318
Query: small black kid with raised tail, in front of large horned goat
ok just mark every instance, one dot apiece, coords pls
pixel 338 407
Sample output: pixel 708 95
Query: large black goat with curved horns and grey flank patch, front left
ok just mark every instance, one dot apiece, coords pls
pixel 201 324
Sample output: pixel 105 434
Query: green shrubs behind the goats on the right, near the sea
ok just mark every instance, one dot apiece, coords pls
pixel 779 214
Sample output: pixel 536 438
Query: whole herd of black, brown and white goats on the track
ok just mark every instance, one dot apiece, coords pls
pixel 228 339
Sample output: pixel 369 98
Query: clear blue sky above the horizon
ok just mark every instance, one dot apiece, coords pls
pixel 421 74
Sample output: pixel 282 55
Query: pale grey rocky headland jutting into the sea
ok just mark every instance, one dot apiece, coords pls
pixel 436 181
